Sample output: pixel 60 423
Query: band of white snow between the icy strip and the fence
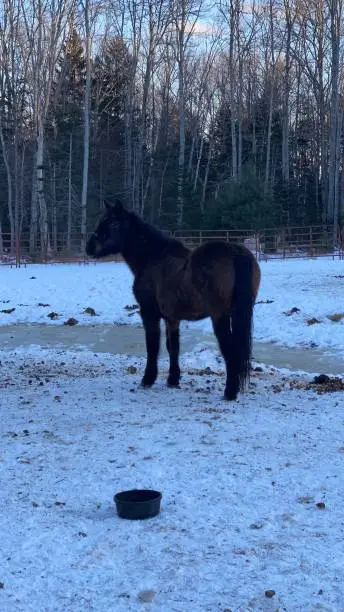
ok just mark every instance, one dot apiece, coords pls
pixel 314 286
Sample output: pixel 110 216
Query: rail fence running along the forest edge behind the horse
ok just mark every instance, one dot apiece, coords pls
pixel 276 243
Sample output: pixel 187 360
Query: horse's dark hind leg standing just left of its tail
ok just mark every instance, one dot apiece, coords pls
pixel 222 329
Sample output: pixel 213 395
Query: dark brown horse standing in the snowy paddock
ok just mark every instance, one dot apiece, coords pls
pixel 217 280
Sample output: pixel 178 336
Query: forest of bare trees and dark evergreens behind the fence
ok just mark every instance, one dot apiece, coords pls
pixel 195 114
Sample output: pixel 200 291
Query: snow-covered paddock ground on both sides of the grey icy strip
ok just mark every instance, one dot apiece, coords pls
pixel 252 506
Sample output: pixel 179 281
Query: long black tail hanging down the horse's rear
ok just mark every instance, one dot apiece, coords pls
pixel 242 319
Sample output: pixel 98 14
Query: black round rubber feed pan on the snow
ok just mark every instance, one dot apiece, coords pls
pixel 138 503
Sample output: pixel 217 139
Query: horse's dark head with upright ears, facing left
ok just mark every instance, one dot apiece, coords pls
pixel 109 236
